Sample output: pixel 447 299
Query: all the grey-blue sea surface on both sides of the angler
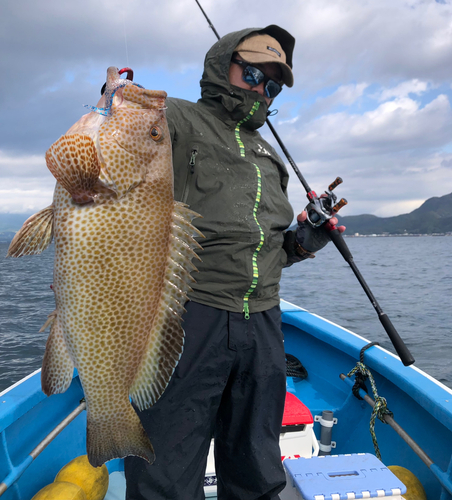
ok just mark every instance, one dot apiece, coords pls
pixel 411 278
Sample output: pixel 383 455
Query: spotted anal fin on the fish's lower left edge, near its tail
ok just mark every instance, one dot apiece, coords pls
pixel 57 365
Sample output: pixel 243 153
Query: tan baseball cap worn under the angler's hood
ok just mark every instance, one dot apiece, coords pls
pixel 262 48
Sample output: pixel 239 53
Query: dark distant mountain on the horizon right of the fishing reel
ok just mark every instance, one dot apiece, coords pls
pixel 433 216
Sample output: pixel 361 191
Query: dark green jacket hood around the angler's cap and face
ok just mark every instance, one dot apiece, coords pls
pixel 230 103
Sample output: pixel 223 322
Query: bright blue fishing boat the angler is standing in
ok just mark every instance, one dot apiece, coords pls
pixel 40 434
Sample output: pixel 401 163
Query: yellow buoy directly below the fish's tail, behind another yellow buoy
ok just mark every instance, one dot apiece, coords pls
pixel 93 480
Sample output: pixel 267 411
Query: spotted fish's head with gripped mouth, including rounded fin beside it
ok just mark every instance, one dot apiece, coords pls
pixel 123 142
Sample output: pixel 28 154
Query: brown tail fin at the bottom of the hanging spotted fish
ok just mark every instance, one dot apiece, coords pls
pixel 118 437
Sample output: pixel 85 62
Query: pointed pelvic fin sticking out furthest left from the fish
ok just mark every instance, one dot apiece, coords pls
pixel 35 235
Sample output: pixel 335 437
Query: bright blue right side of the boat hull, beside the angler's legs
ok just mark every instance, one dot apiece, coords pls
pixel 420 404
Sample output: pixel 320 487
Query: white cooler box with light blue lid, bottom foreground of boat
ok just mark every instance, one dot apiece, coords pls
pixel 341 477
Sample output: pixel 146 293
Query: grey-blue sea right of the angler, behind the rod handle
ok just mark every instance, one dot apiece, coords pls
pixel 410 277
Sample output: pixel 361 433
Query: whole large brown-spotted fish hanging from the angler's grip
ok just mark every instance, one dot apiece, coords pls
pixel 123 250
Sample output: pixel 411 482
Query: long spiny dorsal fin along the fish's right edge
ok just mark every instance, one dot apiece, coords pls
pixel 166 339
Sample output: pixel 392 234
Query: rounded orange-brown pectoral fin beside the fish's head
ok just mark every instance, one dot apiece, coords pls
pixel 74 163
